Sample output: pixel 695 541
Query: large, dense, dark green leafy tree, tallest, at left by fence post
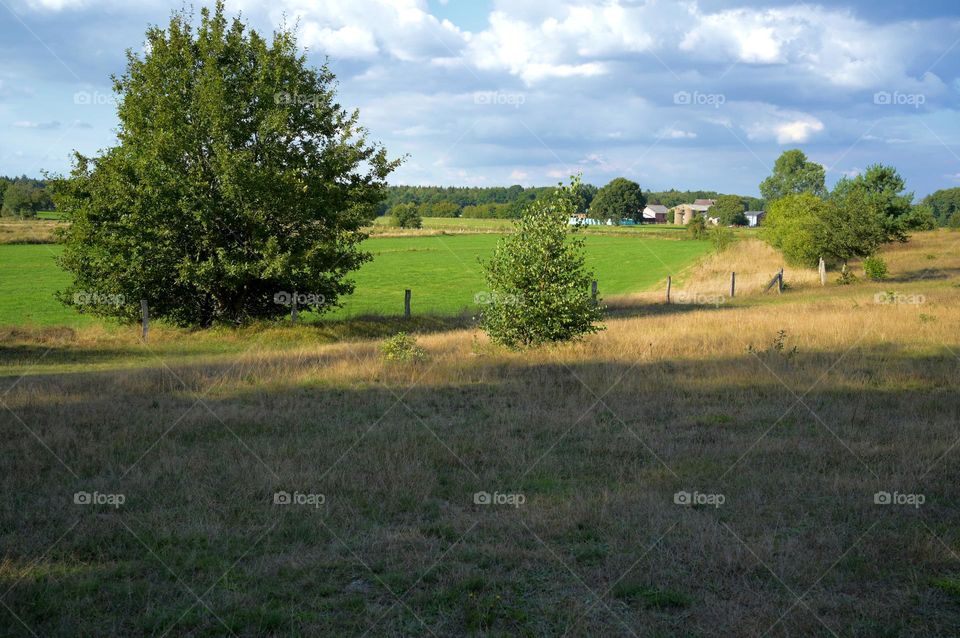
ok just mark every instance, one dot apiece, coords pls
pixel 237 176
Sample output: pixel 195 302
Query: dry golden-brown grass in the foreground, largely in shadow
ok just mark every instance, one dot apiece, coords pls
pixel 774 420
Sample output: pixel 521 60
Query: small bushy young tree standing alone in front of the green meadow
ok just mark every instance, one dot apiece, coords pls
pixel 538 281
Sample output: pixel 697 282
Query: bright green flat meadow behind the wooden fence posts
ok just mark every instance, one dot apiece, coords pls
pixel 442 271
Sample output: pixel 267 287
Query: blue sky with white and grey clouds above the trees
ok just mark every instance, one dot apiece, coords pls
pixel 671 94
